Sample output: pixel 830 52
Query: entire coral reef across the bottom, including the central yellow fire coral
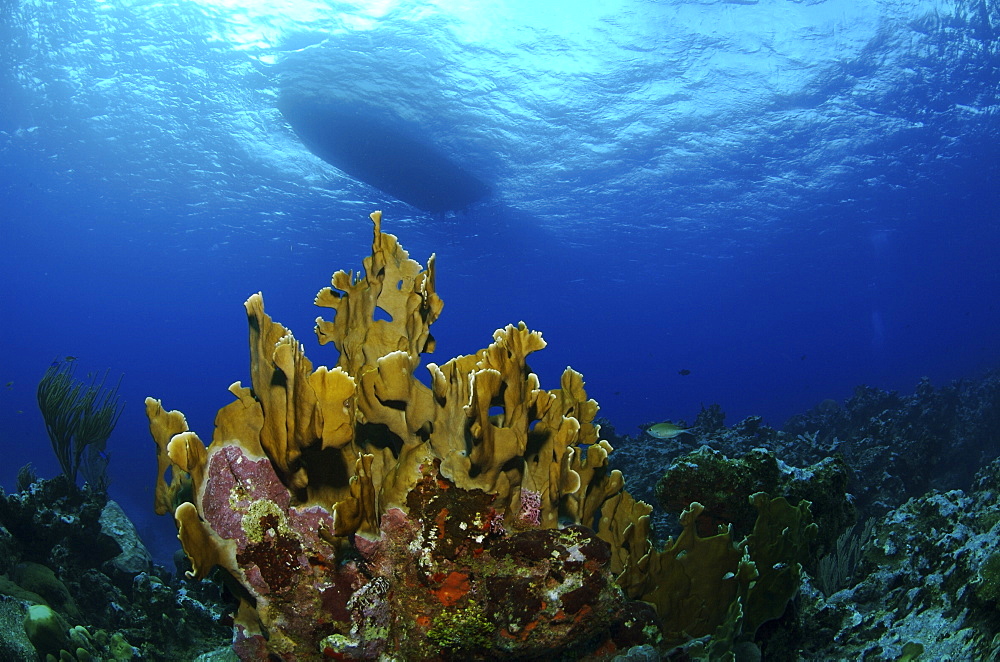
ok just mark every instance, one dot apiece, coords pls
pixel 360 512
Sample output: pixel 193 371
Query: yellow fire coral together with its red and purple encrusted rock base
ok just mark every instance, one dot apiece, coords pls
pixel 307 463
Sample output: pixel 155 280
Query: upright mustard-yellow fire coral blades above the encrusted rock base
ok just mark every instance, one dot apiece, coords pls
pixel 319 427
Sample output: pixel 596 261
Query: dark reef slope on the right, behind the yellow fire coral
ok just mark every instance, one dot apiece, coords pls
pixel 913 576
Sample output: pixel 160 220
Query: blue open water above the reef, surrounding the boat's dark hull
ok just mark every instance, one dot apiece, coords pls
pixel 787 199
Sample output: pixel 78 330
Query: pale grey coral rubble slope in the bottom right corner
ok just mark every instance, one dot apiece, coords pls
pixel 927 578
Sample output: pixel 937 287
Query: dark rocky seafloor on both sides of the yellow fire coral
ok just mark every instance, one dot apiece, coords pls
pixel 905 563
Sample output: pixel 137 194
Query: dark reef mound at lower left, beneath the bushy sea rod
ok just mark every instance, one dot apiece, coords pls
pixel 76 583
